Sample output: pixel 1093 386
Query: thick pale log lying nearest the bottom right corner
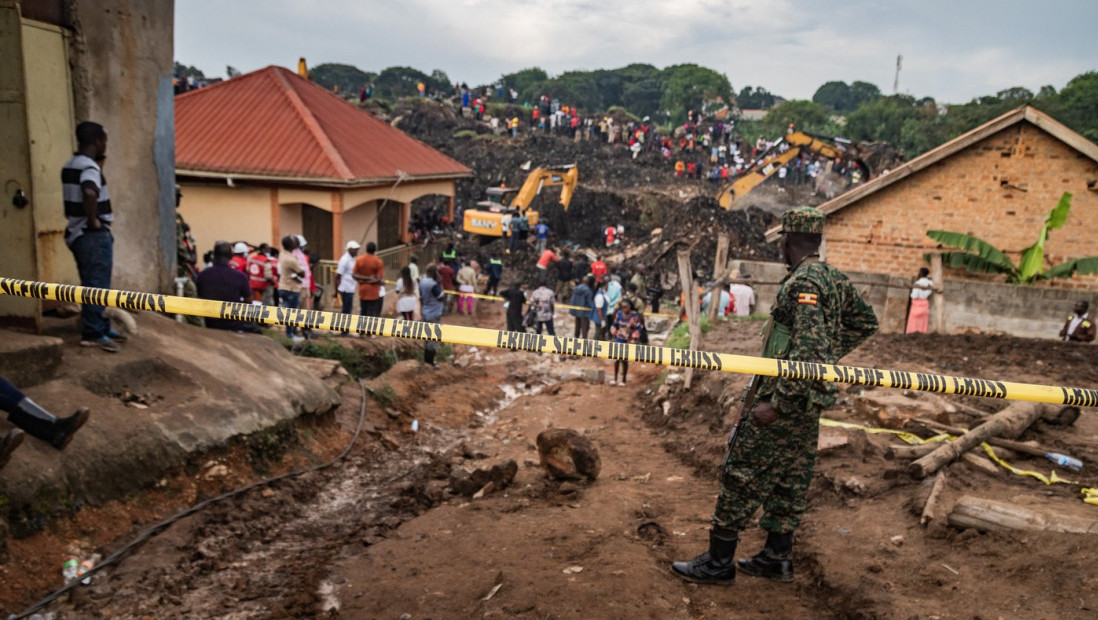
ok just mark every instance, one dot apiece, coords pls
pixel 996 516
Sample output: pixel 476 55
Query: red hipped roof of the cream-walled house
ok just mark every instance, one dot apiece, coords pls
pixel 275 123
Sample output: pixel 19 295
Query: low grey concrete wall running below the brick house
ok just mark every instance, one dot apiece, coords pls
pixel 1028 312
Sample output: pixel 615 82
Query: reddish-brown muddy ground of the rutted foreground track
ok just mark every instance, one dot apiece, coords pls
pixel 383 535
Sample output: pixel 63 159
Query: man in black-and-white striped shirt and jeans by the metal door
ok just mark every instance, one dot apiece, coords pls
pixel 88 233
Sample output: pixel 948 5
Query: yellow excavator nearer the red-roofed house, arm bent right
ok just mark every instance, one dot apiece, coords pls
pixel 487 220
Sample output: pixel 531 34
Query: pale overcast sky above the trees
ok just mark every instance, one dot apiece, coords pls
pixel 954 51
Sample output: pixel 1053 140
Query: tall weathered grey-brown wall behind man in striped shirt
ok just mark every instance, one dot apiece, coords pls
pixel 122 64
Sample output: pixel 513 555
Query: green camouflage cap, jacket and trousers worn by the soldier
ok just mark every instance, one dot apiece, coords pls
pixel 819 318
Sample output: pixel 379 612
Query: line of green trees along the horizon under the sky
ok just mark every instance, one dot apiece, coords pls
pixel 858 111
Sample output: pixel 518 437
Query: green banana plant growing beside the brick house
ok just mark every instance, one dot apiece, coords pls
pixel 978 256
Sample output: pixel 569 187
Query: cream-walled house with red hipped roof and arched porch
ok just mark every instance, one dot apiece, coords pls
pixel 270 154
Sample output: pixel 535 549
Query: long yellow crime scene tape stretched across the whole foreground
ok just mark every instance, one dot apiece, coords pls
pixel 553 345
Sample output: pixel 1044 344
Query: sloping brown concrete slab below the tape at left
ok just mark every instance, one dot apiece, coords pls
pixel 173 393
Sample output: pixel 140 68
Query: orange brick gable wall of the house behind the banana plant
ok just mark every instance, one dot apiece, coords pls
pixel 999 190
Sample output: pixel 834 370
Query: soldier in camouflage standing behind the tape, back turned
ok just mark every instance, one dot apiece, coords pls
pixel 819 318
